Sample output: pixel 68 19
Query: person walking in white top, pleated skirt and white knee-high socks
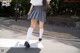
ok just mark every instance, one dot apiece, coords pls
pixel 36 13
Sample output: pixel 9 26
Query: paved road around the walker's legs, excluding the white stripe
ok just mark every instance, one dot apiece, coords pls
pixel 54 41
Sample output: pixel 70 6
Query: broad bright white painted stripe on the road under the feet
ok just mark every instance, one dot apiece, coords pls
pixel 19 43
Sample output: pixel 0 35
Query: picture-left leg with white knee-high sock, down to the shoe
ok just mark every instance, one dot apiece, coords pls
pixel 30 29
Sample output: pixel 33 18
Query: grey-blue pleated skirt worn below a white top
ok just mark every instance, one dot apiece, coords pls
pixel 37 13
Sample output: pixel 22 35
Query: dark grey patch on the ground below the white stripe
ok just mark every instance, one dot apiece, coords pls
pixel 24 50
